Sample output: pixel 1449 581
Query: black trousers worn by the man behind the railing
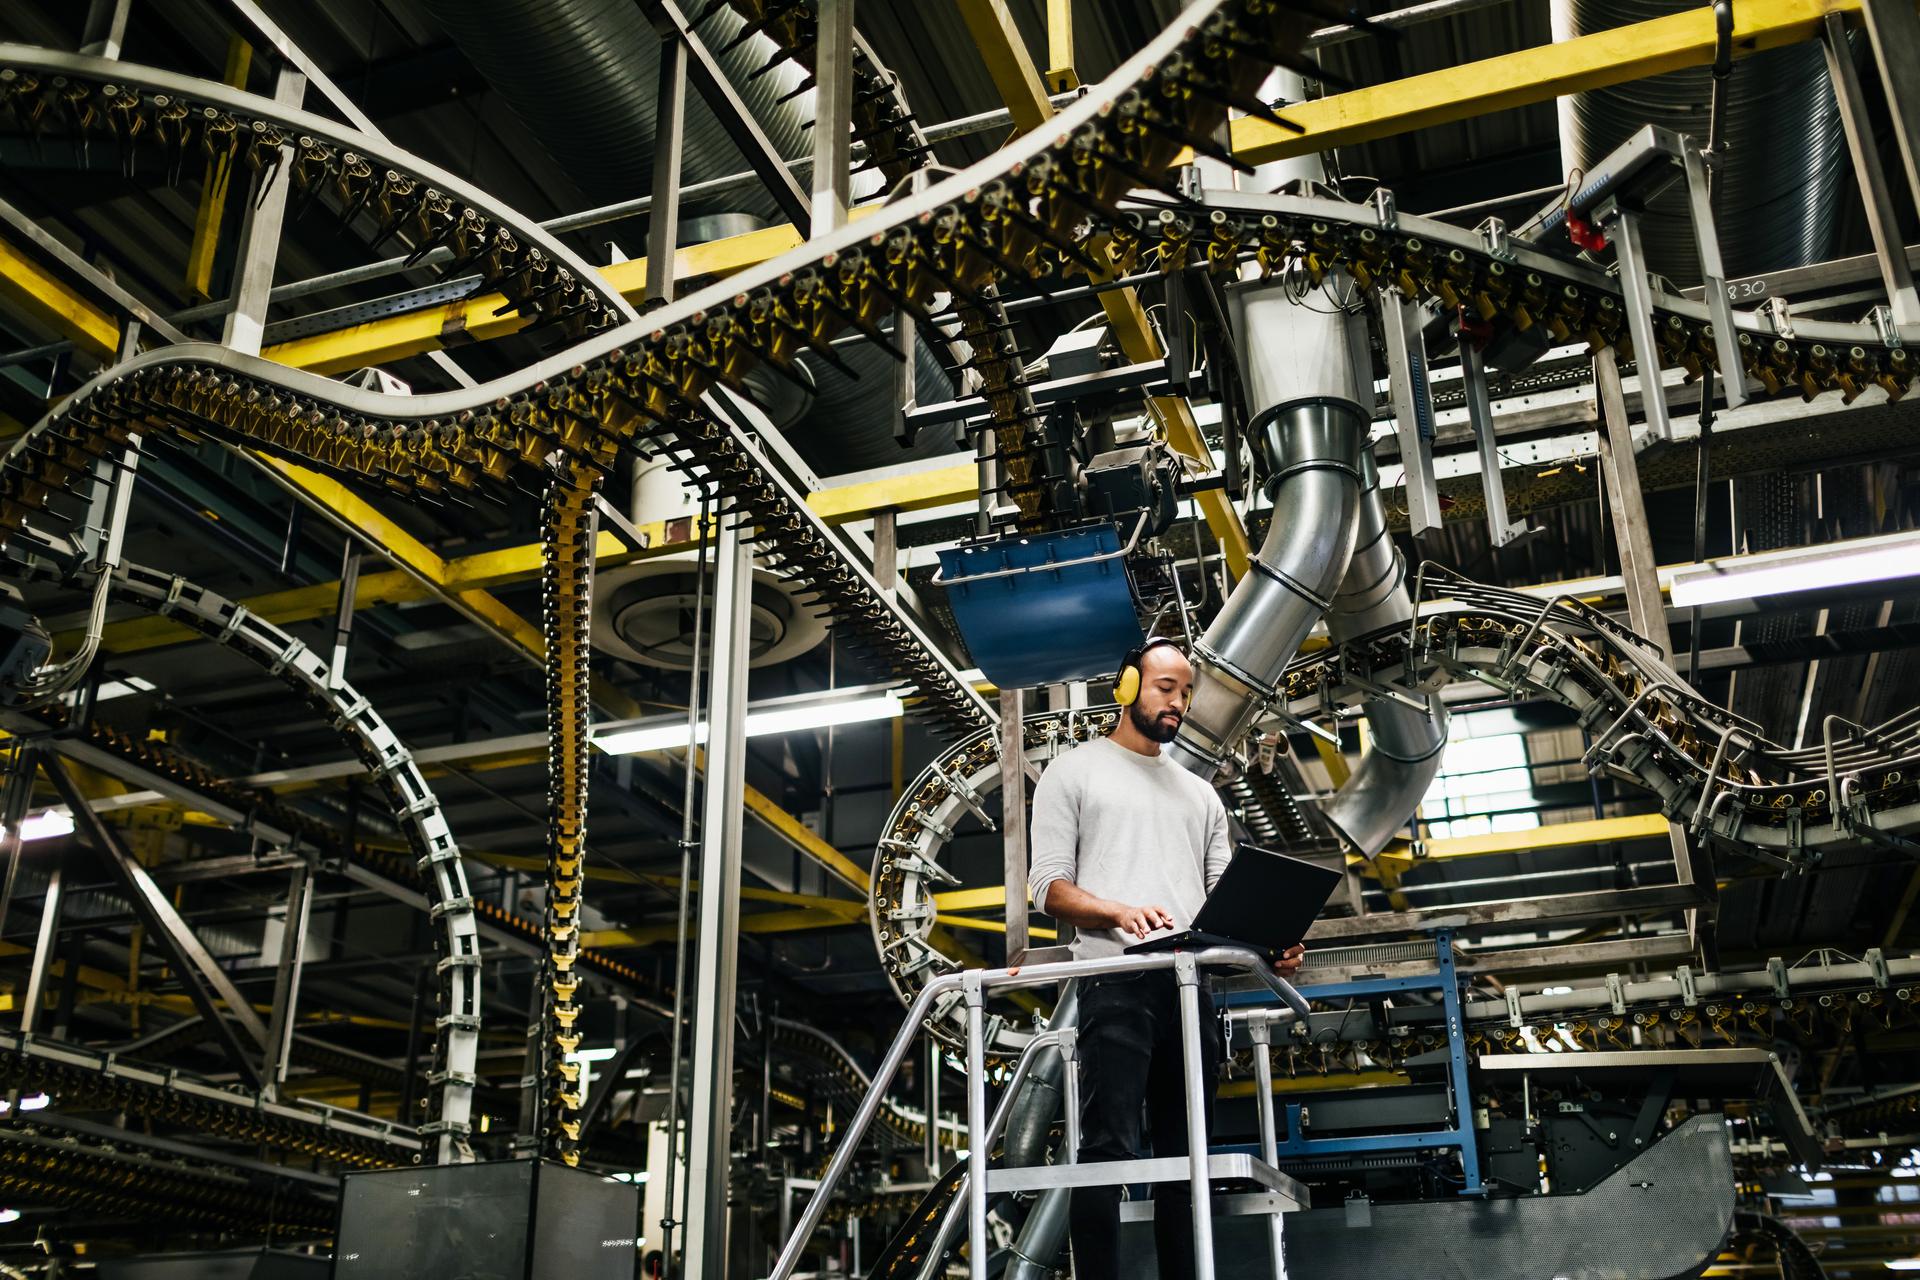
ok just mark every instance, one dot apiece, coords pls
pixel 1130 1060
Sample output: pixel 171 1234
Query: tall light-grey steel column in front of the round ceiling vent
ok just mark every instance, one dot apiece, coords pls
pixel 715 972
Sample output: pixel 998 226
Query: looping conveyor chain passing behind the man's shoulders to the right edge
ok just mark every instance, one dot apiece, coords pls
pixel 1710 769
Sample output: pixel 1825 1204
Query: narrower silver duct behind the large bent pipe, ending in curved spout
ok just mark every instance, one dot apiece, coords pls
pixel 1401 765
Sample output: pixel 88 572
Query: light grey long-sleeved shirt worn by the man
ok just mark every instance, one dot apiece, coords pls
pixel 1130 828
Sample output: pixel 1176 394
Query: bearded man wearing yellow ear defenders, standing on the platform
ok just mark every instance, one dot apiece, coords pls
pixel 1126 845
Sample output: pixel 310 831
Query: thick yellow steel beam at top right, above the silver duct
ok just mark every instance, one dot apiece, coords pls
pixel 1529 76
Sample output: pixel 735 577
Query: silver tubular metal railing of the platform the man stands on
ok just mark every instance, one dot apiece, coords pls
pixel 984 1129
